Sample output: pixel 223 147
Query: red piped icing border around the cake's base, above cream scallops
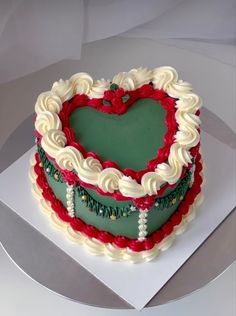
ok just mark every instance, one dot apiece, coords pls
pixel 120 241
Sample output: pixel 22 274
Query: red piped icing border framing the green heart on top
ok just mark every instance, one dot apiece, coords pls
pixel 119 107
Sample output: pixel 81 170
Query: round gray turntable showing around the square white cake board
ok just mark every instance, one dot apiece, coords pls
pixel 45 262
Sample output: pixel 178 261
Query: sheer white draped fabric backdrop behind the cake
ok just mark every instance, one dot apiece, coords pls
pixel 35 34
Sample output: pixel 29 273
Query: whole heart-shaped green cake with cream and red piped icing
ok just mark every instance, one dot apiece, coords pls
pixel 117 163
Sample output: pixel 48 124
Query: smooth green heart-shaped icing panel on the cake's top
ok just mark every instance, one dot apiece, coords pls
pixel 130 140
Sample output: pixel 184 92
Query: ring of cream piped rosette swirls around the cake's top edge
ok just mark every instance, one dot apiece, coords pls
pixel 89 169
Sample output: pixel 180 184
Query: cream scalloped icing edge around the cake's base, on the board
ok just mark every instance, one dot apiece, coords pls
pixel 97 248
